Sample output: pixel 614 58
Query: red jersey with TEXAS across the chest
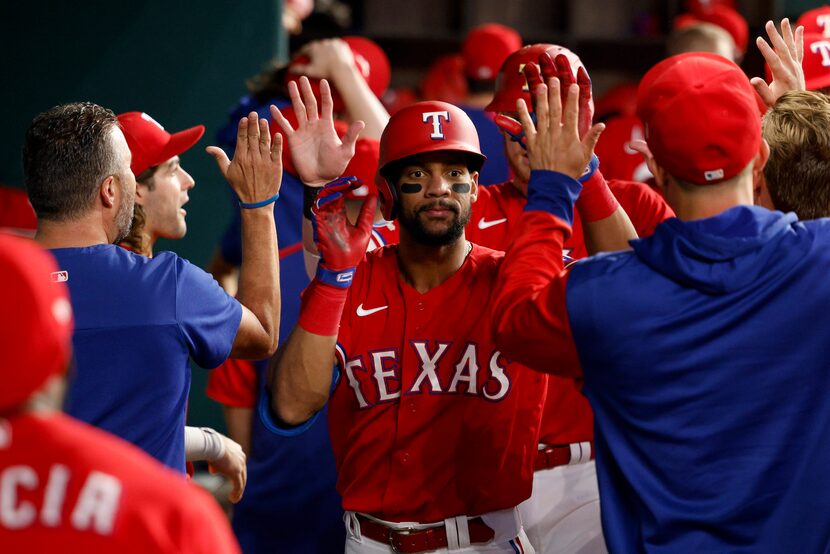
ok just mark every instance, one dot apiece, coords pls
pixel 428 420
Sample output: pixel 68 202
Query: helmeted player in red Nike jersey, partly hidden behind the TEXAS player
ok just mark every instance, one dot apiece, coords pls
pixel 563 513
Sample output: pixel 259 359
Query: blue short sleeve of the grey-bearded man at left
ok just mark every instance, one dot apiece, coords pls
pixel 208 317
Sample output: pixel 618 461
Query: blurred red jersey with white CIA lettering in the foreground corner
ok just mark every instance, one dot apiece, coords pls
pixel 67 487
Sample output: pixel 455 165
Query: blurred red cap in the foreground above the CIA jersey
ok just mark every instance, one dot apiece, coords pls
pixel 36 321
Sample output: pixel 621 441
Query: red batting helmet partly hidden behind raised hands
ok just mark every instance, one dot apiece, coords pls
pixel 511 83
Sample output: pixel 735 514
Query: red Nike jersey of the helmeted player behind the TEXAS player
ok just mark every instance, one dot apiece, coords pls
pixel 567 417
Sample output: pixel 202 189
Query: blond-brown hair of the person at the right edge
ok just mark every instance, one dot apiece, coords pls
pixel 797 129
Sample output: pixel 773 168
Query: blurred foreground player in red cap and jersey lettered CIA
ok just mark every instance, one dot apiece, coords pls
pixel 65 486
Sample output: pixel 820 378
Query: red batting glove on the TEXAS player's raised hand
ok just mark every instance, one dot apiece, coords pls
pixel 341 245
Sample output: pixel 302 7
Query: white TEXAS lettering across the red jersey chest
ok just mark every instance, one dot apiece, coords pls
pixel 376 377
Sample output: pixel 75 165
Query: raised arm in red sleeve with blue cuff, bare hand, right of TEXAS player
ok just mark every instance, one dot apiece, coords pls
pixel 530 316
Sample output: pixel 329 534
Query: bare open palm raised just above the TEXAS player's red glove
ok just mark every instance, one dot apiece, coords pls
pixel 318 154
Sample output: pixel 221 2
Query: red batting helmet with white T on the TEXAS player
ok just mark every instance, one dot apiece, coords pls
pixel 418 129
